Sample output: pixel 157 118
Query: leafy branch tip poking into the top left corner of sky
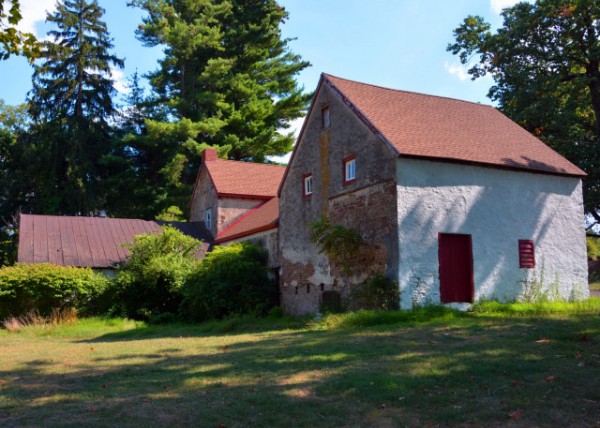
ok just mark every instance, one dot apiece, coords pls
pixel 13 41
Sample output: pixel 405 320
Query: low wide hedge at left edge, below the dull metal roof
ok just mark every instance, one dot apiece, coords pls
pixel 44 287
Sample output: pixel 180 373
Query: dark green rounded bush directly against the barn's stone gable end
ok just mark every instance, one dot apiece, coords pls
pixel 232 280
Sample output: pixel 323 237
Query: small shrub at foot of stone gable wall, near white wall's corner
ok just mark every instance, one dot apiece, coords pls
pixel 377 292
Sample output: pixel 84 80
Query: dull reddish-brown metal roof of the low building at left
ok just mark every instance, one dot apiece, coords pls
pixel 88 241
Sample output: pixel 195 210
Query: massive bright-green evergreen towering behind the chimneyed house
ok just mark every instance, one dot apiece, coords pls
pixel 227 80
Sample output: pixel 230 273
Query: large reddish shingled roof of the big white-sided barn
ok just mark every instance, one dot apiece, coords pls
pixel 438 128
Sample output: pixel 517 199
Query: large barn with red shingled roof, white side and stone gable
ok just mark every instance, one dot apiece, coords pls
pixel 454 201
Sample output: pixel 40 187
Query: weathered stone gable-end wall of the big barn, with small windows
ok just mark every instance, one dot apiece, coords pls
pixel 368 204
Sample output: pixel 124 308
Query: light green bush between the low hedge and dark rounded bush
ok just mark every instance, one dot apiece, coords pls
pixel 148 284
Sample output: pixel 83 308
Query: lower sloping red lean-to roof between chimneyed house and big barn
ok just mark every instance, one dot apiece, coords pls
pixel 259 219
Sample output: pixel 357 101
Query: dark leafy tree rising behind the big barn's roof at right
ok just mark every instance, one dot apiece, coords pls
pixel 545 61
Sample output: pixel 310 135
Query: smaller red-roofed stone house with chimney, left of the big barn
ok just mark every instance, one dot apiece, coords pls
pixel 237 201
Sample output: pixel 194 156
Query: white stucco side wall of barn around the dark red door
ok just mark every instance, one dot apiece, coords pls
pixel 497 208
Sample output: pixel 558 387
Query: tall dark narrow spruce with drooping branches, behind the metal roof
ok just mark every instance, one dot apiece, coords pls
pixel 71 104
